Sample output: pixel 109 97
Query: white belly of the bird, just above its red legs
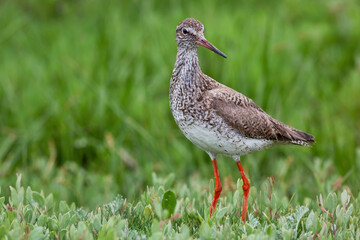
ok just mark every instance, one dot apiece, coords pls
pixel 229 143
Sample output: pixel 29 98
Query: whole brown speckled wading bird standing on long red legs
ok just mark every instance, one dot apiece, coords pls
pixel 216 118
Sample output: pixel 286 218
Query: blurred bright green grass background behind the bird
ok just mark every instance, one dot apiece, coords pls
pixel 84 92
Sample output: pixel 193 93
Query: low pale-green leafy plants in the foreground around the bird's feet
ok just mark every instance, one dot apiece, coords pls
pixel 160 214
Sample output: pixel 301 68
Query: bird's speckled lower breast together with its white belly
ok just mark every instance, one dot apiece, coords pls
pixel 210 133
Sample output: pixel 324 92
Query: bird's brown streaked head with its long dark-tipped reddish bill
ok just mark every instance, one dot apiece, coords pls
pixel 190 34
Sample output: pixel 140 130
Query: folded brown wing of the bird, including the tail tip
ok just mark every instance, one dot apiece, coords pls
pixel 251 121
